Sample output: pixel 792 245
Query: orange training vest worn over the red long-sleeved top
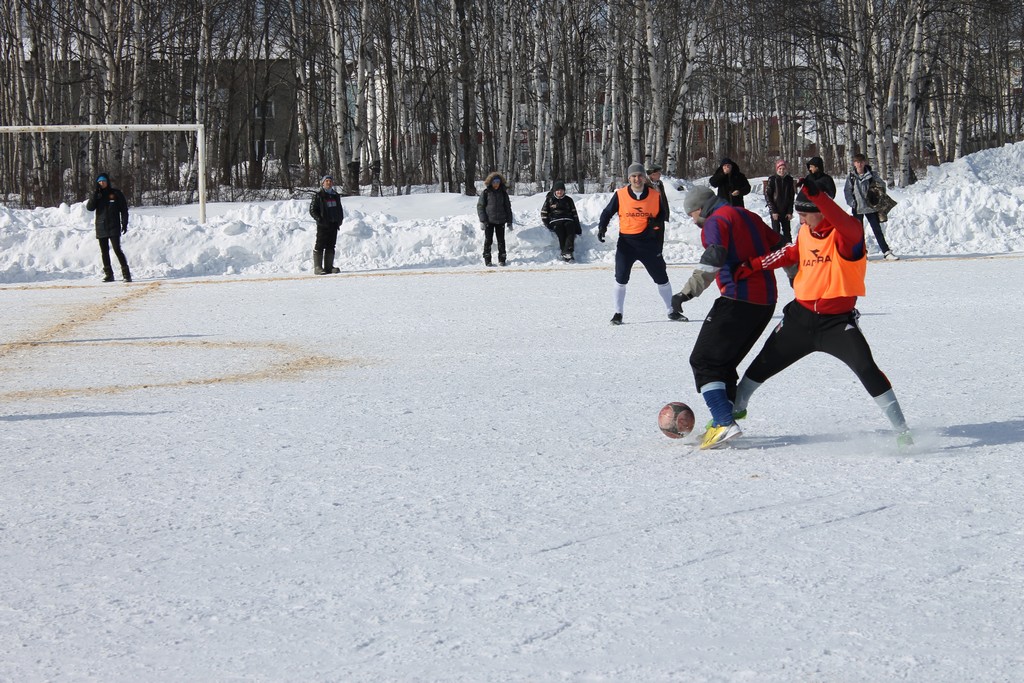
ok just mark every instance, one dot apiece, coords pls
pixel 824 273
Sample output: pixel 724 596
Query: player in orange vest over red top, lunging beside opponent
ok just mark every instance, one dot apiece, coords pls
pixel 833 261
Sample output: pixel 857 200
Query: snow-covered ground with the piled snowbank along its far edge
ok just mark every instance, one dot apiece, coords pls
pixel 425 471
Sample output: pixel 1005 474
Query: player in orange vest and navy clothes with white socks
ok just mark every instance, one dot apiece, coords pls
pixel 642 221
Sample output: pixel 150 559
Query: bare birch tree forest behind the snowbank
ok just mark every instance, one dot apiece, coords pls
pixel 391 95
